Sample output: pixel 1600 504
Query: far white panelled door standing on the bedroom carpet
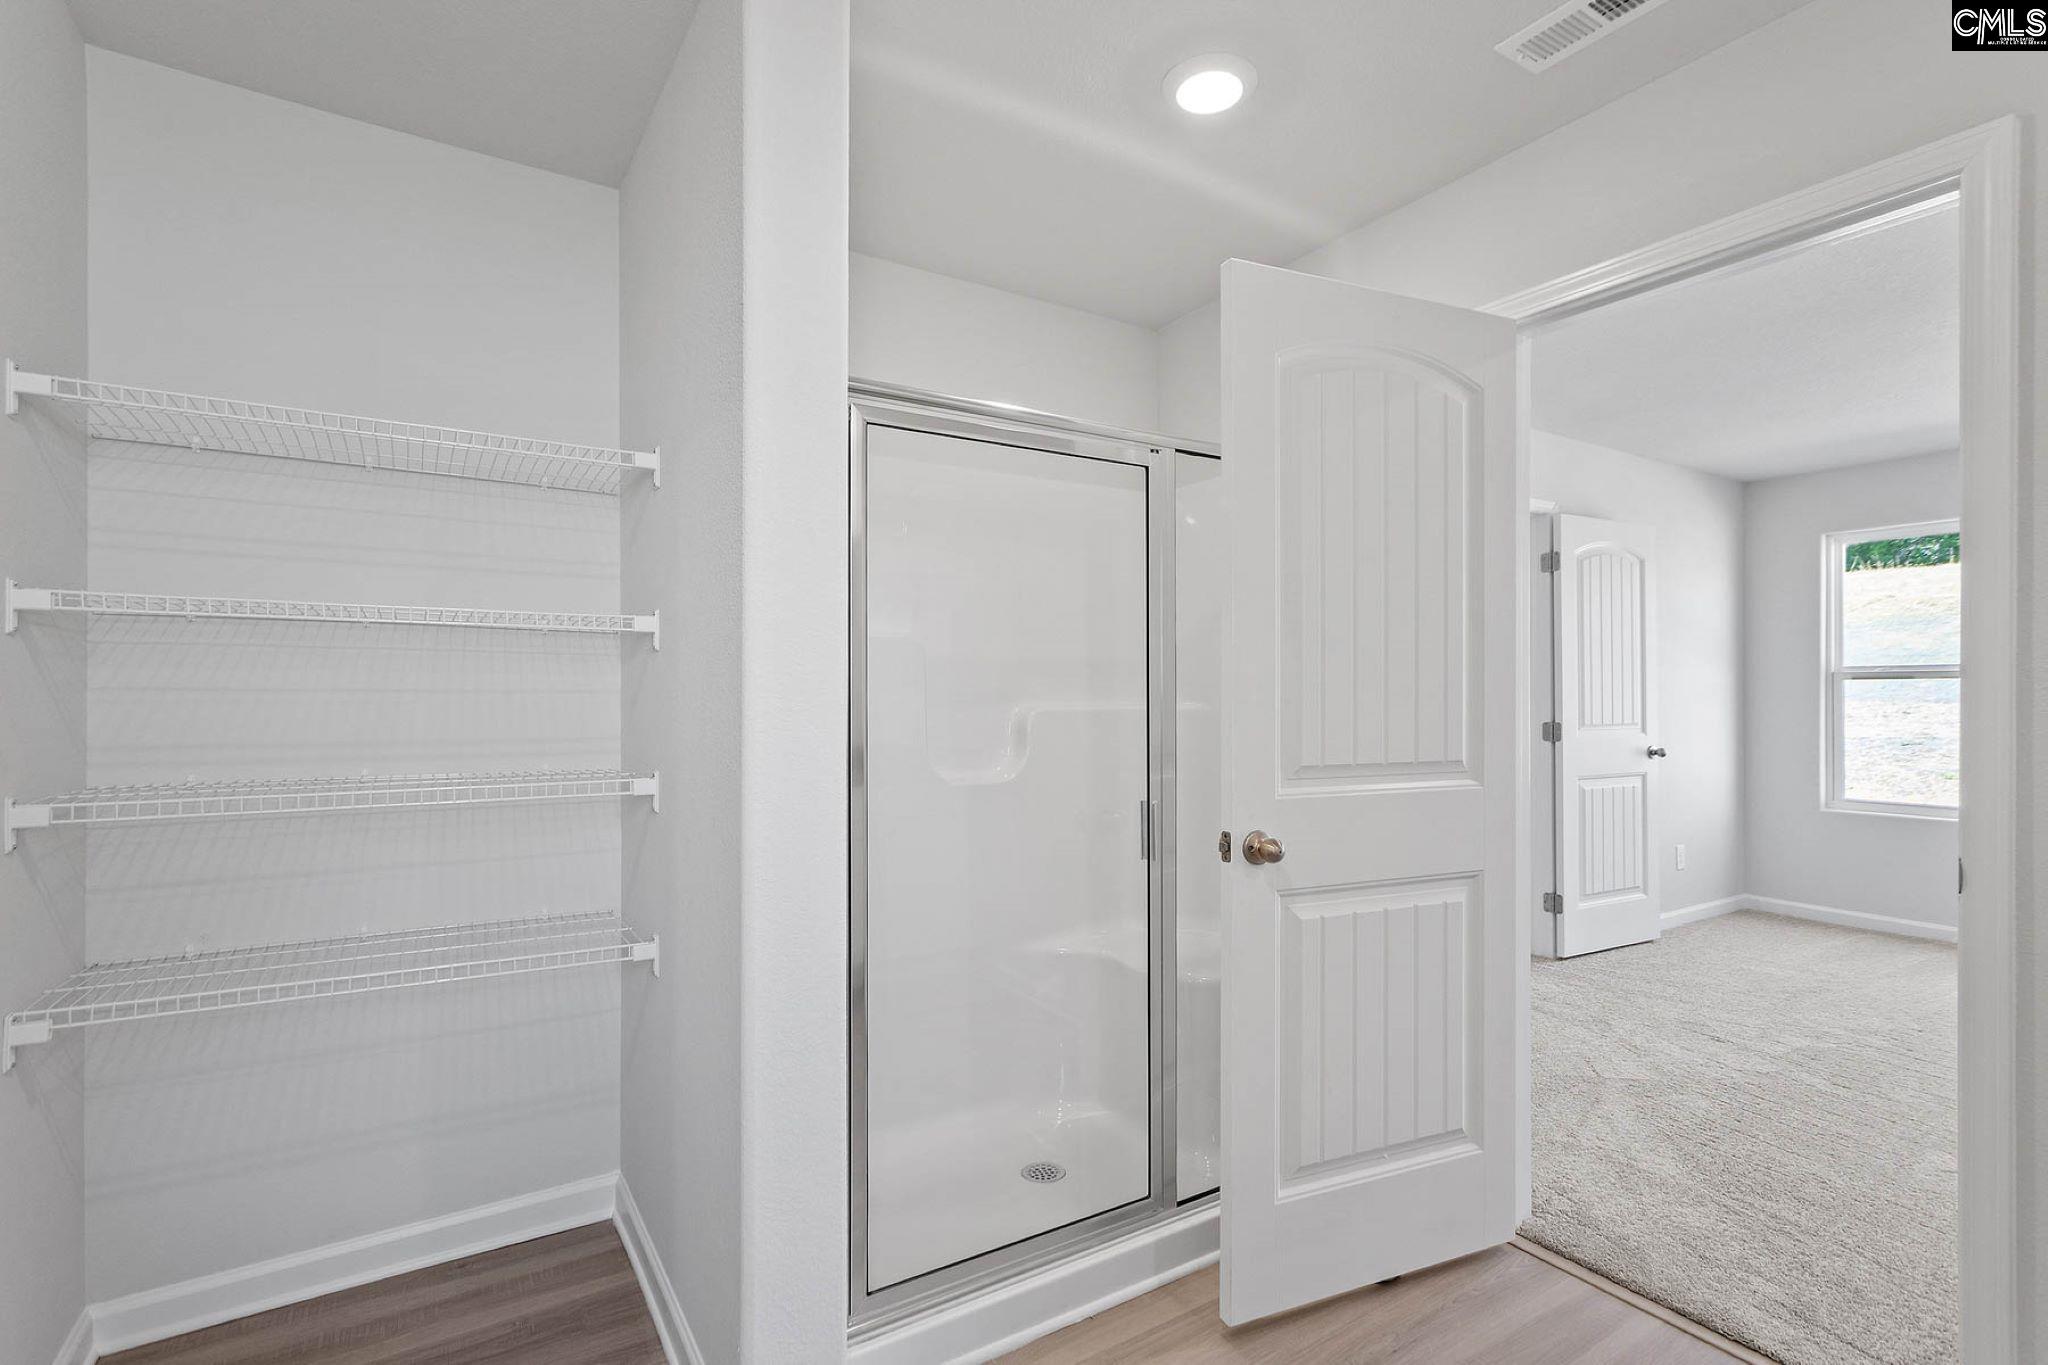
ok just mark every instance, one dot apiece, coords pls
pixel 1607 699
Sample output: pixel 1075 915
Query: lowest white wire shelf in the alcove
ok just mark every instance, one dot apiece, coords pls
pixel 278 973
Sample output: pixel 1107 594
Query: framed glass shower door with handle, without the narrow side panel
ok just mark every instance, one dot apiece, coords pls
pixel 1005 844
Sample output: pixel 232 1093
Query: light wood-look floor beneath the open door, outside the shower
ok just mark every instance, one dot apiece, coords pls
pixel 1502 1307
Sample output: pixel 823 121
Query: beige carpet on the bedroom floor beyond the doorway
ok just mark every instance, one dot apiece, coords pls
pixel 1754 1122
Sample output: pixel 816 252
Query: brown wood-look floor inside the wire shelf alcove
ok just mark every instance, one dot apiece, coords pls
pixel 558 1301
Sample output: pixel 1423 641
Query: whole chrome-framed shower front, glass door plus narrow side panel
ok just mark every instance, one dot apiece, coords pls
pixel 1013 877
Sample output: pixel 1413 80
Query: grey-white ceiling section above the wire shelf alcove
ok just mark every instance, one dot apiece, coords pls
pixel 546 83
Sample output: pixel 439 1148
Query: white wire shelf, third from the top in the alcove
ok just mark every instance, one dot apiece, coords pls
pixel 212 801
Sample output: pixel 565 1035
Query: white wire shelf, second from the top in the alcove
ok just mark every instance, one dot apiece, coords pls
pixel 355 613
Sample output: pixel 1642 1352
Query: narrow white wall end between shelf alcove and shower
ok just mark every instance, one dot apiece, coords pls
pixel 794 689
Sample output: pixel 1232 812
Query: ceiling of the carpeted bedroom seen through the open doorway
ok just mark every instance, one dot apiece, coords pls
pixel 1832 355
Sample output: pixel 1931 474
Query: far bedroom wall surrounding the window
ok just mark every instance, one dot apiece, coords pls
pixel 1848 861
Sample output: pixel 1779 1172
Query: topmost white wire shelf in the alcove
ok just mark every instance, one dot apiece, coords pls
pixel 159 419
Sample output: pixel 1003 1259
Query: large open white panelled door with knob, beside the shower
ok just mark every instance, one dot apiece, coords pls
pixel 1369 989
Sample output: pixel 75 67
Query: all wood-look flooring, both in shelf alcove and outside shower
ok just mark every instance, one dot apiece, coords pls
pixel 572 1301
